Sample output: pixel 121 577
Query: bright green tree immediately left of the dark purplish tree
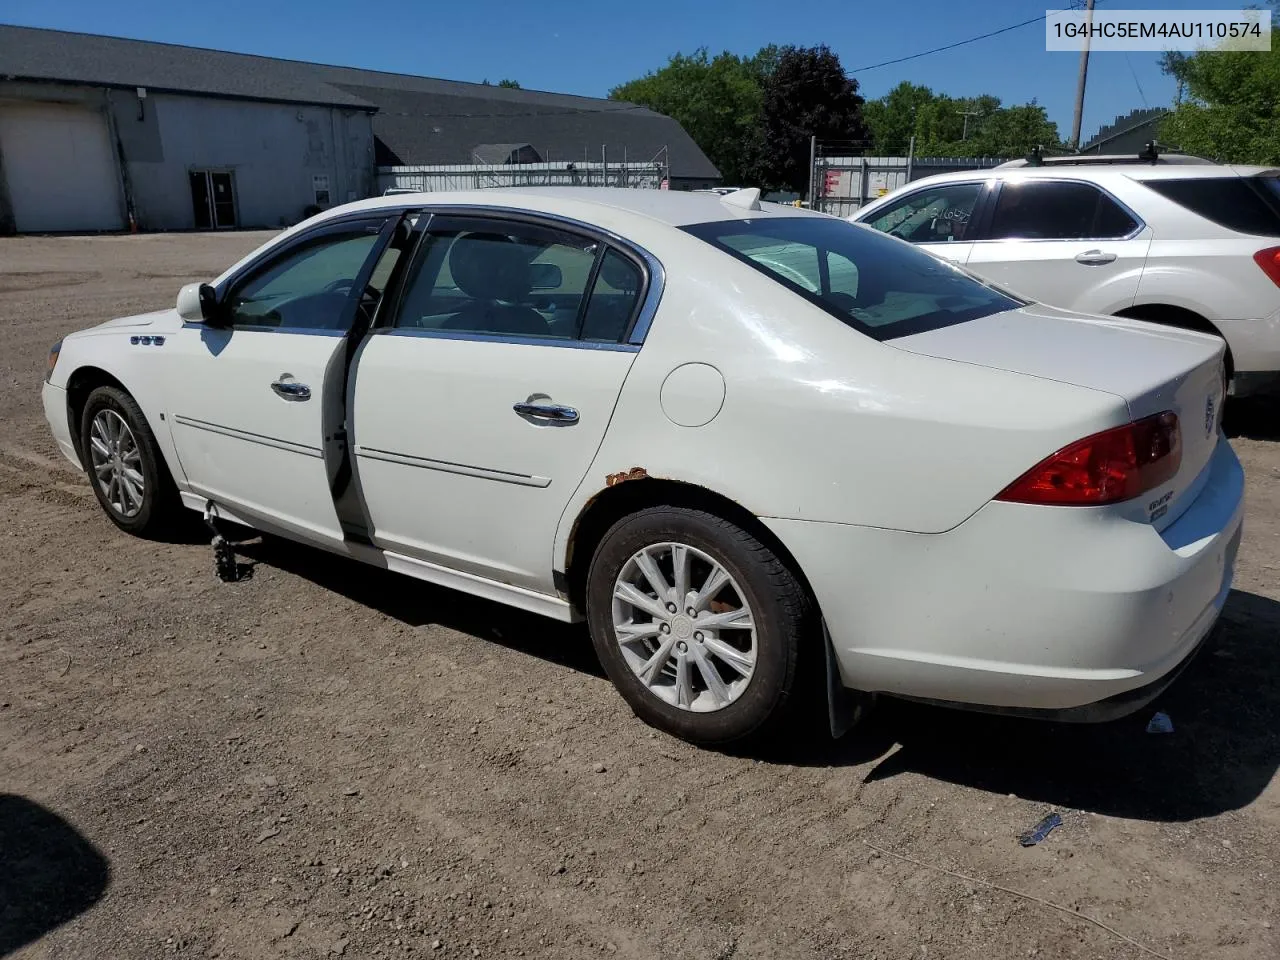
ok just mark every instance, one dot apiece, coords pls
pixel 716 99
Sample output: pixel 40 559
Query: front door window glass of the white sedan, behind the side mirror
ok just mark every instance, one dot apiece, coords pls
pixel 305 289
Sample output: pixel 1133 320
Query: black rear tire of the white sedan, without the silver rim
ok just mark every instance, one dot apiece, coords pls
pixel 780 607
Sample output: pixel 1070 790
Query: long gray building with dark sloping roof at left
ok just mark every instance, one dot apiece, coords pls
pixel 103 134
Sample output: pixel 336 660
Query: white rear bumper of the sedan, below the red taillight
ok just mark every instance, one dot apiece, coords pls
pixel 1026 609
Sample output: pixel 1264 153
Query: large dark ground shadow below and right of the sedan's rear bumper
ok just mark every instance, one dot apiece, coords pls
pixel 1222 755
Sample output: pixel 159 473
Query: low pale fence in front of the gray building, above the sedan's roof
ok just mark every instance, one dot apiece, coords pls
pixel 644 176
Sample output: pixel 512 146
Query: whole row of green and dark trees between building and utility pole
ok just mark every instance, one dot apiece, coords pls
pixel 755 116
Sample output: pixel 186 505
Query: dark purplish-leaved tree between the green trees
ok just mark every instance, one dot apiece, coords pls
pixel 807 94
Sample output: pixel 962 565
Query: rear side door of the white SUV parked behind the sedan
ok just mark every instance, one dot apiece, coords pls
pixel 1067 244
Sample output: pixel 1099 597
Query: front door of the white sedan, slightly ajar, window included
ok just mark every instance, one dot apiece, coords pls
pixel 257 405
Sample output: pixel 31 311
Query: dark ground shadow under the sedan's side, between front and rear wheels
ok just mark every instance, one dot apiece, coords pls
pixel 417 604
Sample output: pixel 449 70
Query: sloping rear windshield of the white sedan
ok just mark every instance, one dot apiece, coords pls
pixel 879 286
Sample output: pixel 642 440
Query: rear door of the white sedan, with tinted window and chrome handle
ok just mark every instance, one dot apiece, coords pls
pixel 482 404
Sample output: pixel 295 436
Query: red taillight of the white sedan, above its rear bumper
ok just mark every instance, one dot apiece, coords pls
pixel 1116 465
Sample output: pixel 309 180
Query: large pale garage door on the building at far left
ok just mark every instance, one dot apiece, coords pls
pixel 60 168
